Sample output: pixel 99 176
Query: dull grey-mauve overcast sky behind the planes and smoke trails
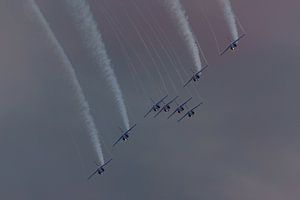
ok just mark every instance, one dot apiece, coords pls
pixel 243 143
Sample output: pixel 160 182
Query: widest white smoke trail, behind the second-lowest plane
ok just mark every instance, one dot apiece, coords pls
pixel 93 39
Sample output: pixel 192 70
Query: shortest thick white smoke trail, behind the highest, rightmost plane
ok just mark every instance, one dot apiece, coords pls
pixel 230 18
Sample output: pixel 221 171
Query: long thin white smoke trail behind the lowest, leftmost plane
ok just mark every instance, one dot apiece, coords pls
pixel 84 106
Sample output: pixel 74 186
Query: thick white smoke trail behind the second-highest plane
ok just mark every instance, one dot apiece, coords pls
pixel 185 30
